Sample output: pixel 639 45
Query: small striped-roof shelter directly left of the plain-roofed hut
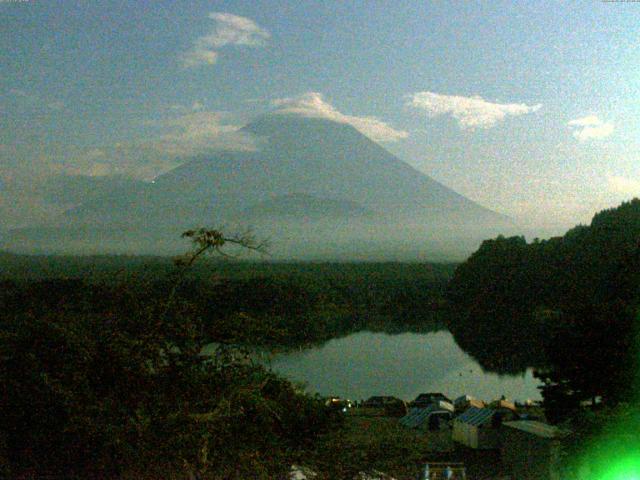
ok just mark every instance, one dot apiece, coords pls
pixel 478 428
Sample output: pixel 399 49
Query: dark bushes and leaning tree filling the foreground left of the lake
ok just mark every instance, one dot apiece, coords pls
pixel 106 381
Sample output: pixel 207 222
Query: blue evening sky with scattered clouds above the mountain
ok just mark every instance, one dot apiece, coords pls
pixel 529 108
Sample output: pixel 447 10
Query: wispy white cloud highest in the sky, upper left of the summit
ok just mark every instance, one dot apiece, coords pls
pixel 228 29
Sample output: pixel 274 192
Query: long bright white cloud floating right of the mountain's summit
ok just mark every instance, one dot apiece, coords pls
pixel 470 112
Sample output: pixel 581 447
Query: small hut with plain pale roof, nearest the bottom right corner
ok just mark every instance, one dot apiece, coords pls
pixel 530 450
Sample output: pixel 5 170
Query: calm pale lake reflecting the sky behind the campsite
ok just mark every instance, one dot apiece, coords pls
pixel 403 365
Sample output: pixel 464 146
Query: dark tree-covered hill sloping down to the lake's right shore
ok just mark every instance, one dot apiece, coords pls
pixel 567 304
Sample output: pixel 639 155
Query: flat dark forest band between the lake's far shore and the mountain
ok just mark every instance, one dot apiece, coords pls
pixel 273 305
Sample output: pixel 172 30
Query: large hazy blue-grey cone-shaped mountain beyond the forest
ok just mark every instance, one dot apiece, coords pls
pixel 316 187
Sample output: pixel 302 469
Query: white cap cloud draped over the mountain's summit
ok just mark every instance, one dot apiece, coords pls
pixel 312 105
